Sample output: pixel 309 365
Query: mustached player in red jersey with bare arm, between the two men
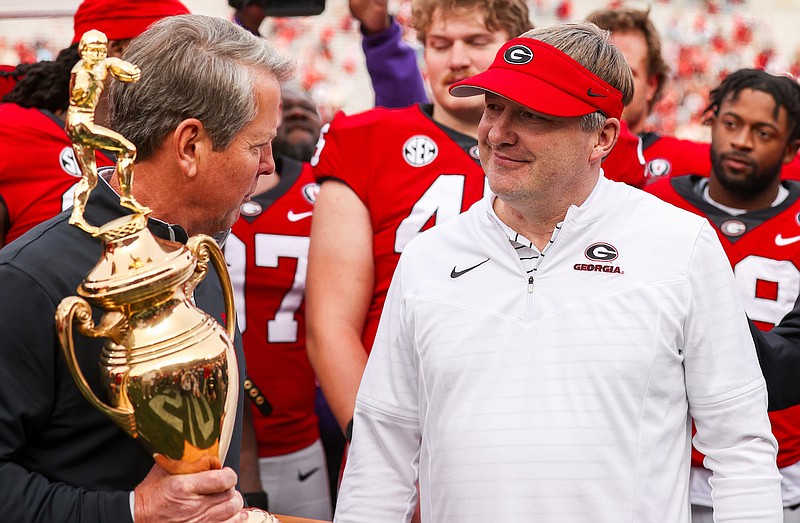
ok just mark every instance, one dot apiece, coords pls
pixel 386 176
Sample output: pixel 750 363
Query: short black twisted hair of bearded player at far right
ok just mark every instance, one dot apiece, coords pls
pixel 783 89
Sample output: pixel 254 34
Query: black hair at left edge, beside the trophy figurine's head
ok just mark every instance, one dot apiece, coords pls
pixel 44 85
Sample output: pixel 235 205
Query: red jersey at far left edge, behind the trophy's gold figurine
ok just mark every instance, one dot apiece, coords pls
pixel 37 167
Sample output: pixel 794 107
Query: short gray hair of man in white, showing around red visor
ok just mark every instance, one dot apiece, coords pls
pixel 589 45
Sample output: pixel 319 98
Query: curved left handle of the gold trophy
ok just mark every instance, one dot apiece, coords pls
pixel 77 310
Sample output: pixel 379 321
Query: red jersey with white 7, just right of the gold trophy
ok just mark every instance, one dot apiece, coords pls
pixel 267 255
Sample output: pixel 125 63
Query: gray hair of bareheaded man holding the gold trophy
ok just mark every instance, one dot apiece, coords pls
pixel 193 66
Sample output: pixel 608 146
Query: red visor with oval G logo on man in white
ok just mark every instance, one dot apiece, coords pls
pixel 545 79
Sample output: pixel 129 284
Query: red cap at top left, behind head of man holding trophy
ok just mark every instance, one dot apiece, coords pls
pixel 123 19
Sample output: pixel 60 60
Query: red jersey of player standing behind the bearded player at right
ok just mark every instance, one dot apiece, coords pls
pixel 669 156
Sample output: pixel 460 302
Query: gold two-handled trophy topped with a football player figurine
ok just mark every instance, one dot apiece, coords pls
pixel 169 369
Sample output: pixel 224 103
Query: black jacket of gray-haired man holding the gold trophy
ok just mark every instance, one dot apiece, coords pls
pixel 60 459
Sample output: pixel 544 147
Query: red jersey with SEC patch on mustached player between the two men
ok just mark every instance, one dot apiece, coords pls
pixel 410 172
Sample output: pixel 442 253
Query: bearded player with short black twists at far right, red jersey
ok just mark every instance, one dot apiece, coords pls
pixel 755 129
